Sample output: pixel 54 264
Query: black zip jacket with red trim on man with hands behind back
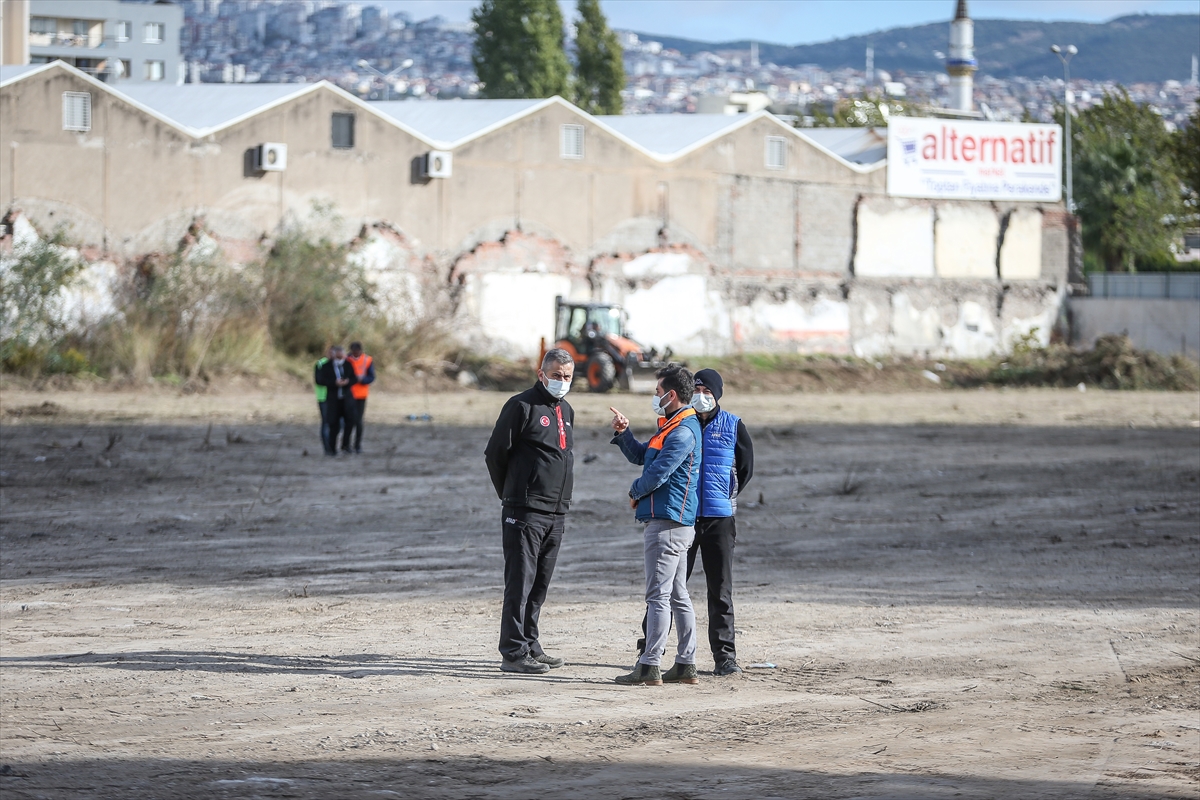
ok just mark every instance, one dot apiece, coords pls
pixel 530 458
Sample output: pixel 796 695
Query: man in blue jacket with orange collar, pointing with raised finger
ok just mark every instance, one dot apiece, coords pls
pixel 667 498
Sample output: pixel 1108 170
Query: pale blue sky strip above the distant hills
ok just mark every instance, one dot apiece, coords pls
pixel 803 22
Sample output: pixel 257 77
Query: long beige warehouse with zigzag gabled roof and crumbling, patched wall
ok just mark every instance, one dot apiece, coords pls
pixel 717 233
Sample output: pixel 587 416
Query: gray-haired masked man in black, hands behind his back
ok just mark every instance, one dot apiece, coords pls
pixel 531 461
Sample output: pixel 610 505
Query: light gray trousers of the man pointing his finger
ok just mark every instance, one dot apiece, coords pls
pixel 667 592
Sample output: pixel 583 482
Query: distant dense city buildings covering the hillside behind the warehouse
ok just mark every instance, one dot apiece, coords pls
pixel 320 40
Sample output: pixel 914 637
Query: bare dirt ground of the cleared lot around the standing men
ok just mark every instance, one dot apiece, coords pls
pixel 963 594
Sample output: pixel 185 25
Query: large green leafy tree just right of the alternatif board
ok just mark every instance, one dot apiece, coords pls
pixel 1127 191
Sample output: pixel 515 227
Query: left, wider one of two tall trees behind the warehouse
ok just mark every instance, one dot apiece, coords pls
pixel 519 50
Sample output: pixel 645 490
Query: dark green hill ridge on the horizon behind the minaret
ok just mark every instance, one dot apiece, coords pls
pixel 1126 50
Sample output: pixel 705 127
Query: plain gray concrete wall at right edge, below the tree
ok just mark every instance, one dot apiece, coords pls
pixel 1162 326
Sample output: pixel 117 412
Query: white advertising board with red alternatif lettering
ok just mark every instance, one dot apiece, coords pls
pixel 958 160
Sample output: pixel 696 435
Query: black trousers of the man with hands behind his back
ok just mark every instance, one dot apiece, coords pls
pixel 531 550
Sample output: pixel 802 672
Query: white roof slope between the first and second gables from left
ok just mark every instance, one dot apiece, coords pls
pixel 203 107
